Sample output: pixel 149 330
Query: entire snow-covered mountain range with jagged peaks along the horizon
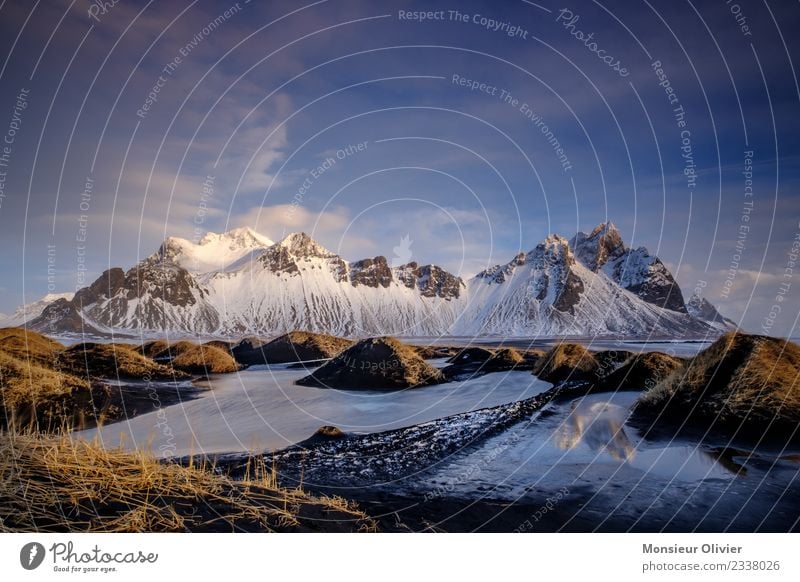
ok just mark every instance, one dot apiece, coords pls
pixel 241 283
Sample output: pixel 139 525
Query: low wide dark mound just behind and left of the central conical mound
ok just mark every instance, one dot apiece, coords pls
pixel 295 346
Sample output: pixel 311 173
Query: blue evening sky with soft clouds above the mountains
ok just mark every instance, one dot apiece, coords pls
pixel 260 99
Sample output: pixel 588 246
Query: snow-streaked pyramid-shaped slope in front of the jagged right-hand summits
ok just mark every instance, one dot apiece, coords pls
pixel 548 291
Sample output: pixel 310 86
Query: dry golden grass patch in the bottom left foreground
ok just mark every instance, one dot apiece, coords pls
pixel 56 484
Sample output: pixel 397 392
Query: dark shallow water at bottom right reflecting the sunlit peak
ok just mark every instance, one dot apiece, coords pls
pixel 607 474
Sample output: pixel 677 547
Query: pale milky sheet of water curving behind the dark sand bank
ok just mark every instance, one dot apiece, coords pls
pixel 261 409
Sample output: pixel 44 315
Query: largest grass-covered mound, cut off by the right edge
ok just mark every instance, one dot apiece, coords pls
pixel 744 384
